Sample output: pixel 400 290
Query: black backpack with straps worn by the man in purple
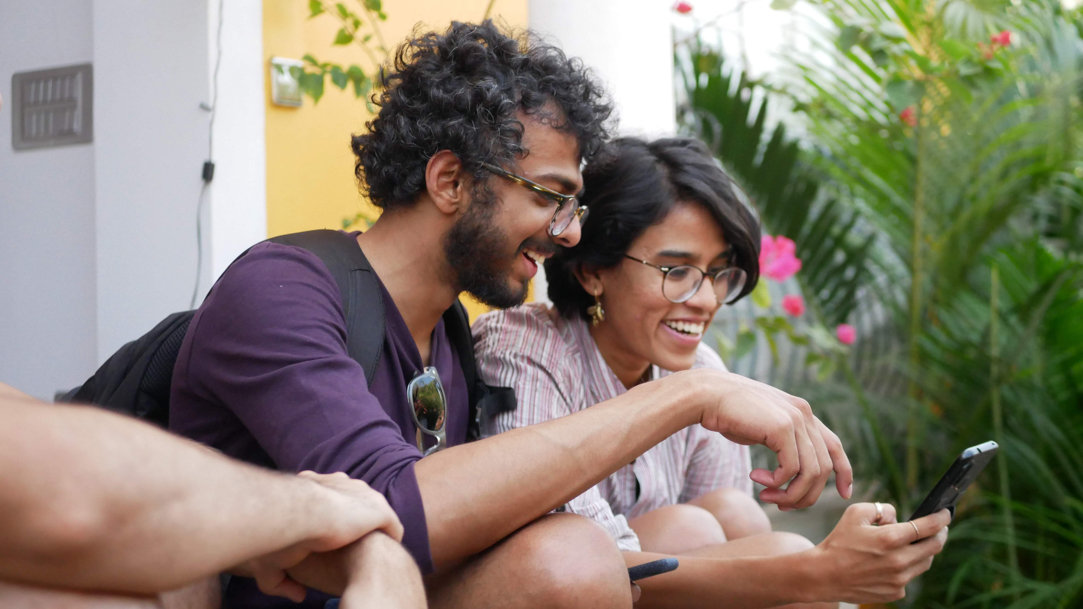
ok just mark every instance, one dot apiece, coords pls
pixel 136 381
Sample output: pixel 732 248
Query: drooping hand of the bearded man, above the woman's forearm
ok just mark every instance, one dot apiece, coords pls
pixel 749 412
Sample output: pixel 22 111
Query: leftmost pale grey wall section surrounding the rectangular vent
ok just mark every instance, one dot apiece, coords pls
pixel 48 309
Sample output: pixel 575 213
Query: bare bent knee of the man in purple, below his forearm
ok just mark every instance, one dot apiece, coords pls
pixel 558 562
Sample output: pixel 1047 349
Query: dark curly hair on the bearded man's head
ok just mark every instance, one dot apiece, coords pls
pixel 461 92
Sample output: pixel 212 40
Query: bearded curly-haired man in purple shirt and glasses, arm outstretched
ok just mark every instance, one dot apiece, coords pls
pixel 474 158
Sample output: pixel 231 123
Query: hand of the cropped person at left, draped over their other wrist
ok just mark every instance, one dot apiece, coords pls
pixel 350 511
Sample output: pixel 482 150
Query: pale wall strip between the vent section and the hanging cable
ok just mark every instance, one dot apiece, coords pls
pixel 150 142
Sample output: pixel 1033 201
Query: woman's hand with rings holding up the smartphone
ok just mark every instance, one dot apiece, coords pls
pixel 873 563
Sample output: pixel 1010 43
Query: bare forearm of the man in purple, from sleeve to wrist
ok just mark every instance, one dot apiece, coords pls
pixel 524 474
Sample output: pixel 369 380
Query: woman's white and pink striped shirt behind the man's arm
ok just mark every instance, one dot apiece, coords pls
pixel 556 370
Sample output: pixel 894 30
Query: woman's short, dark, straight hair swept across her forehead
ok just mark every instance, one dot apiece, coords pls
pixel 632 186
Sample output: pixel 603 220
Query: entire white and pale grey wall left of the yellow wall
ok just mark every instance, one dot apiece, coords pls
pixel 100 239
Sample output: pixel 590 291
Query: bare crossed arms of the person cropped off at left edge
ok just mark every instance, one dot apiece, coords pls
pixel 99 510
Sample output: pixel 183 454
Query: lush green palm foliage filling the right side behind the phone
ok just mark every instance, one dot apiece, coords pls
pixel 949 133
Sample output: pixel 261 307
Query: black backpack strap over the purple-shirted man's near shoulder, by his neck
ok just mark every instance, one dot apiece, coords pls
pixel 362 300
